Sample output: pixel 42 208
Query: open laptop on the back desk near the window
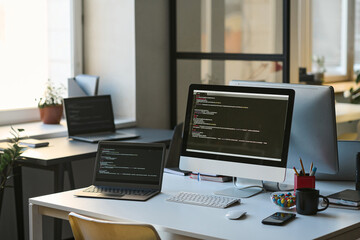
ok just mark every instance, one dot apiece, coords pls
pixel 91 119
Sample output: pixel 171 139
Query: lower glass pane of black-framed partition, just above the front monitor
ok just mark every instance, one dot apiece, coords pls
pixel 221 73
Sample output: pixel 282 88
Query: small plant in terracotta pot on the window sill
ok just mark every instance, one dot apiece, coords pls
pixel 51 104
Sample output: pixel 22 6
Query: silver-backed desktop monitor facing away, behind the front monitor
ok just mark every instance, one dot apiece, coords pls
pixel 313 131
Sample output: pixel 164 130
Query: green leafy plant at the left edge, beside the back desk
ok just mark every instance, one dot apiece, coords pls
pixel 8 158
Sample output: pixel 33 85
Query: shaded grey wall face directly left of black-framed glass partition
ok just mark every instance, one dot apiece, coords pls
pixel 152 63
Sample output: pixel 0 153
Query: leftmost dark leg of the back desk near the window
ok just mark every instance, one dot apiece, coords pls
pixel 19 201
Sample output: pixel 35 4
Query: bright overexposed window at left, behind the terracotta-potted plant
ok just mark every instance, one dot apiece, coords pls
pixel 36 43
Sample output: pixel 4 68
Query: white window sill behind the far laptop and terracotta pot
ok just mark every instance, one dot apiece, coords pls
pixel 41 131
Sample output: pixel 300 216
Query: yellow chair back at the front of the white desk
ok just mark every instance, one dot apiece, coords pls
pixel 86 228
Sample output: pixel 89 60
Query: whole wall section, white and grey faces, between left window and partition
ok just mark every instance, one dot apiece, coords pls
pixel 126 43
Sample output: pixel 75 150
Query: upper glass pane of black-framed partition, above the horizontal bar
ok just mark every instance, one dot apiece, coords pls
pixel 230 26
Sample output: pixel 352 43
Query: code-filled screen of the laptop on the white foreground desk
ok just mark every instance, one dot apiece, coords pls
pixel 129 164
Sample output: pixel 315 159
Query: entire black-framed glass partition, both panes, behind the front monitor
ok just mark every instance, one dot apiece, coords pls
pixel 216 41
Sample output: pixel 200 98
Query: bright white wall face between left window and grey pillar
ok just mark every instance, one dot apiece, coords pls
pixel 109 50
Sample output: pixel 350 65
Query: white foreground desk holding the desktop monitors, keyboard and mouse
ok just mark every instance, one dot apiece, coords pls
pixel 197 221
